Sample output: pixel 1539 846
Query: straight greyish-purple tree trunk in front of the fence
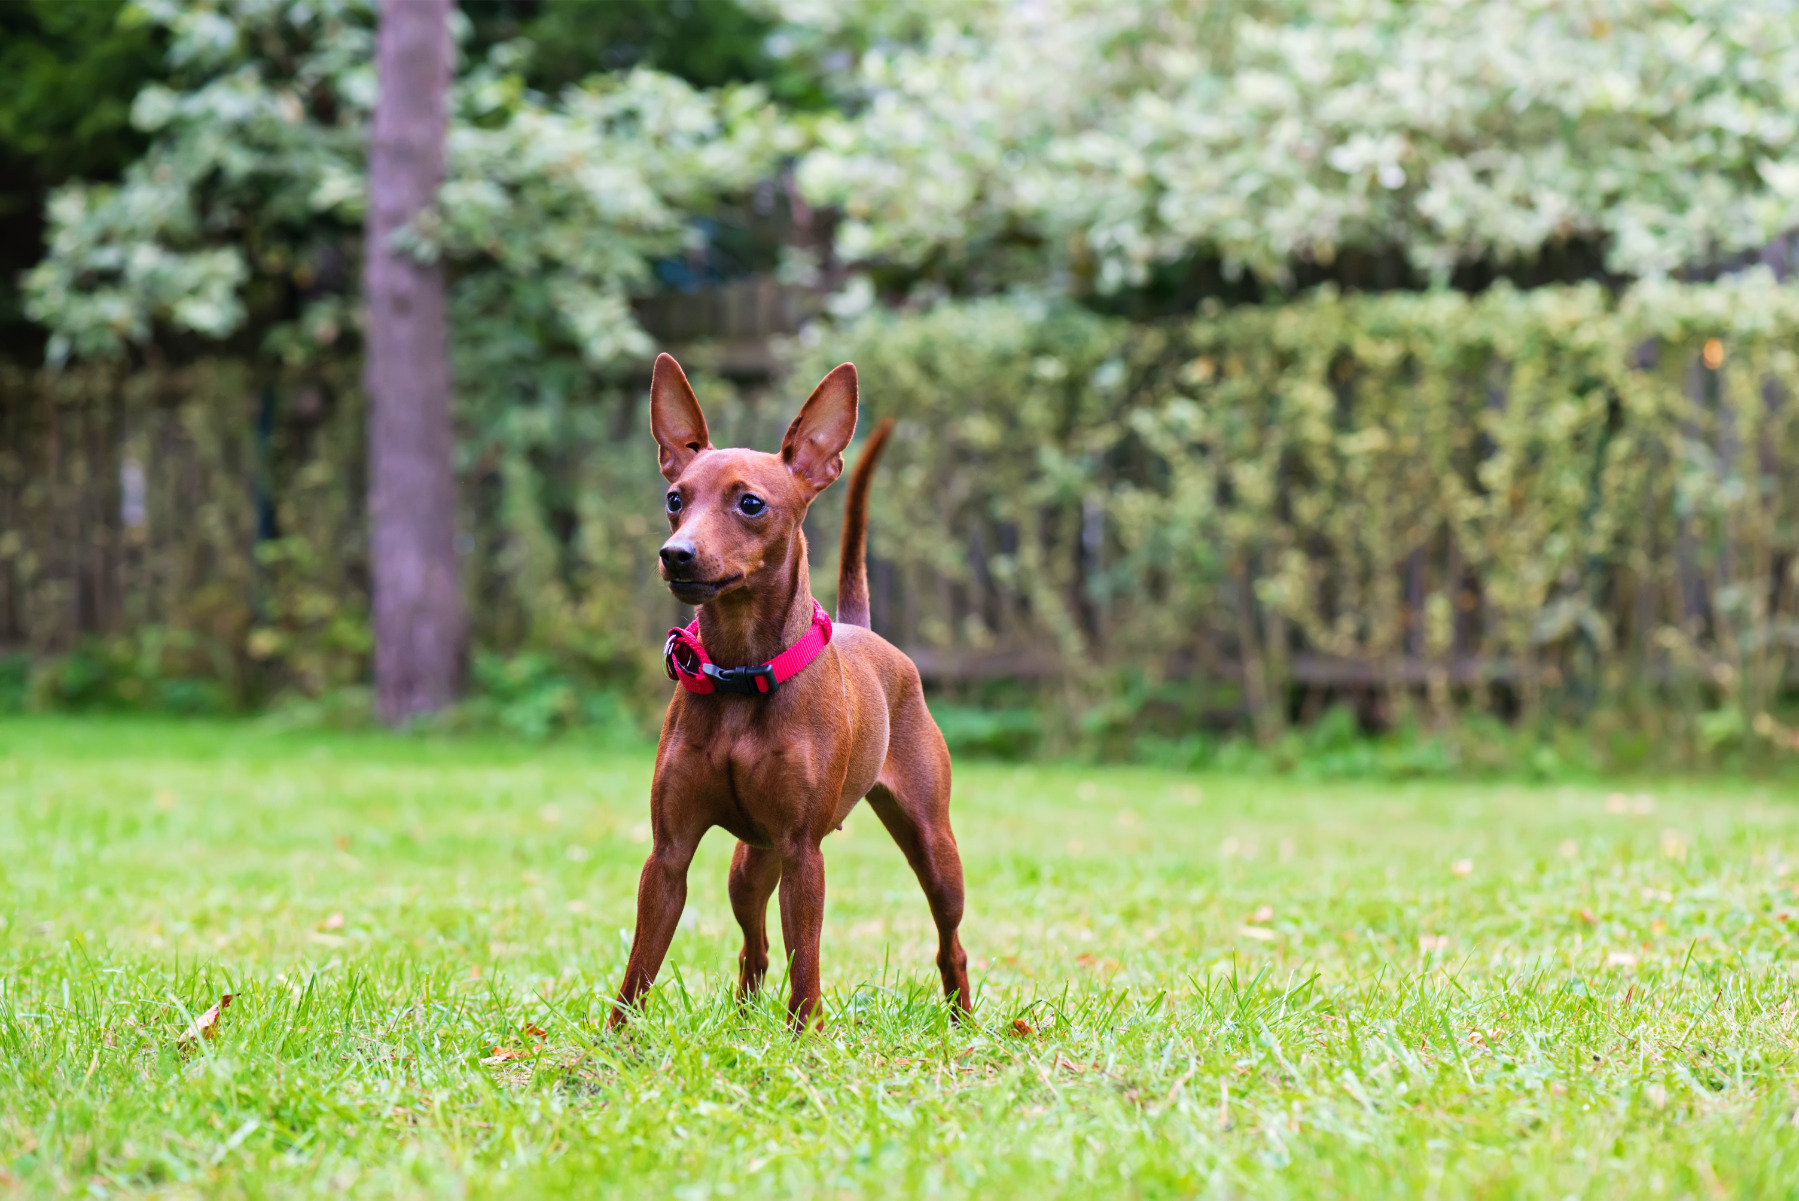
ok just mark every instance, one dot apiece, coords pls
pixel 418 603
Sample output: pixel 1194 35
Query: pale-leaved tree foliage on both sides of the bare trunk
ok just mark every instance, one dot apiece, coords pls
pixel 246 215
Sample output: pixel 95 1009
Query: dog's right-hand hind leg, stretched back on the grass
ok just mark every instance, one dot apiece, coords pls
pixel 913 803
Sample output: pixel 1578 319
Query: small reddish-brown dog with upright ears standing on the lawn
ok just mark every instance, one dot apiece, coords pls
pixel 783 770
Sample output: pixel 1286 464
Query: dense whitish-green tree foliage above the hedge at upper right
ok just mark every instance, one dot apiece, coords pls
pixel 1084 145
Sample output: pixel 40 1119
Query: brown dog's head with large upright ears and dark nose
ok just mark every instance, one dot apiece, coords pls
pixel 737 513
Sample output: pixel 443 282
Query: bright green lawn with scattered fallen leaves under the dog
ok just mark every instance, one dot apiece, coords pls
pixel 1231 986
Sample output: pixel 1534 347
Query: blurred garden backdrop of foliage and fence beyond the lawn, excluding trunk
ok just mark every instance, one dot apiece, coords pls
pixel 1368 386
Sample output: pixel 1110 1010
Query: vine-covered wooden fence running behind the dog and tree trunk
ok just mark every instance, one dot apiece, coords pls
pixel 1526 503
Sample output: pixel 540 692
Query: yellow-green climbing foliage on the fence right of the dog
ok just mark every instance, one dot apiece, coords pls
pixel 1444 503
